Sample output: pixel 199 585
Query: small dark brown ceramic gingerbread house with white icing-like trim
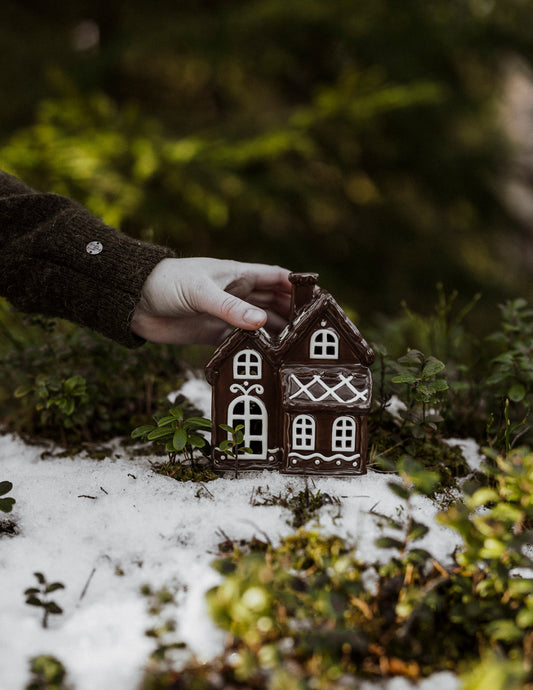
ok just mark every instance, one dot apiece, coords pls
pixel 303 397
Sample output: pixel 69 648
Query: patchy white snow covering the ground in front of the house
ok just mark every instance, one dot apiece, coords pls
pixel 105 528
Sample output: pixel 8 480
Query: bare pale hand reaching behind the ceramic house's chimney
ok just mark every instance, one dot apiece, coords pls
pixel 194 300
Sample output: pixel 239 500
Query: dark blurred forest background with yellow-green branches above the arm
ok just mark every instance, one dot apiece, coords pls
pixel 387 145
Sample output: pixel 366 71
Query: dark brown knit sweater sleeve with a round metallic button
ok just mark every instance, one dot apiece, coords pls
pixel 59 260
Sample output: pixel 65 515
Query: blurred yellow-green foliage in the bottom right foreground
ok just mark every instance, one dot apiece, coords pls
pixel 311 612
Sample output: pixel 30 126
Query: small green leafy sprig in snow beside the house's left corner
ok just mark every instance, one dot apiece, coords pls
pixel 176 433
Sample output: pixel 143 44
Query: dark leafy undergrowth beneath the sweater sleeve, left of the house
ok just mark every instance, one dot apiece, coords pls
pixel 75 386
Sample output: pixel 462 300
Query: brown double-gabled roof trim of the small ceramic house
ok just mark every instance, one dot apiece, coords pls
pixel 274 347
